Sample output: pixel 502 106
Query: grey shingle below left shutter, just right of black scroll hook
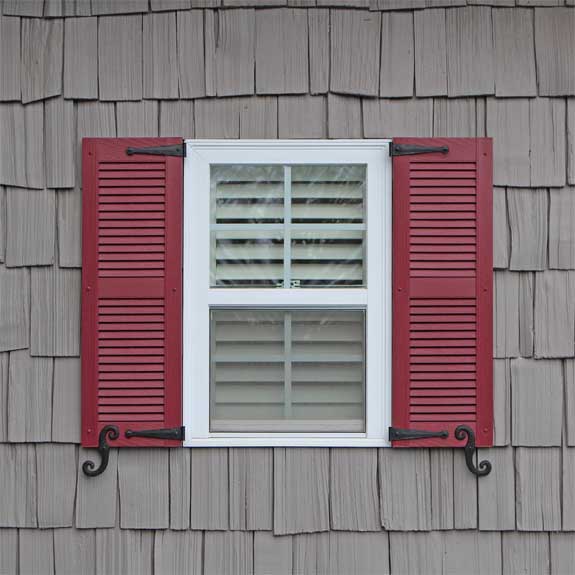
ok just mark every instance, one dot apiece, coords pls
pixel 144 488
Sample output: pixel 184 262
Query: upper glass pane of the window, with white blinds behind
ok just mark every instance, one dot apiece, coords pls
pixel 288 226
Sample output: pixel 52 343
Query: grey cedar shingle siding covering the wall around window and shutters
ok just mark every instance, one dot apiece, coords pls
pixel 289 69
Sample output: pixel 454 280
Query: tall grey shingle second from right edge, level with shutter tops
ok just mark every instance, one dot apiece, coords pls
pixel 547 127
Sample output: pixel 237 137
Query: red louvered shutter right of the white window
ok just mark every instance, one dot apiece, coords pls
pixel 442 290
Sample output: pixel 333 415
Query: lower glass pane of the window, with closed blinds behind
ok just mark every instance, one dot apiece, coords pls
pixel 287 370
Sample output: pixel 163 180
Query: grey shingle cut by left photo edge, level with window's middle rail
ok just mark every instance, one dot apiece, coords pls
pixel 14 309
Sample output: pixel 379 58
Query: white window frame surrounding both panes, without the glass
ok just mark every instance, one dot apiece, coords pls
pixel 199 296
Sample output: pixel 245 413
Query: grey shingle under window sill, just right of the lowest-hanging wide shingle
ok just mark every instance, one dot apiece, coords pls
pixel 354 500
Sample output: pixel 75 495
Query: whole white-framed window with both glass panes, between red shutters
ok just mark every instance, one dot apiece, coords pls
pixel 287 277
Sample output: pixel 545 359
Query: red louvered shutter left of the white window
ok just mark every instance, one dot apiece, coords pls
pixel 131 283
